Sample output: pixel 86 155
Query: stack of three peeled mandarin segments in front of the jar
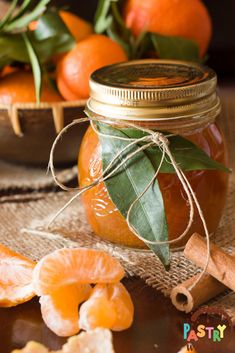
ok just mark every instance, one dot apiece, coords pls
pixel 64 279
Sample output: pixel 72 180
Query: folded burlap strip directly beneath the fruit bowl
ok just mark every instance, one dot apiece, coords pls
pixel 14 176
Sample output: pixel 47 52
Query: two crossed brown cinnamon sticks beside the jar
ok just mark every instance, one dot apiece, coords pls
pixel 221 274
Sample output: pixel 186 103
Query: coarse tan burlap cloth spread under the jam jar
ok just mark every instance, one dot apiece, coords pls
pixel 24 222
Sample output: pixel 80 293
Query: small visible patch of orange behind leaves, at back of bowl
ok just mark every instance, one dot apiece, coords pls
pixel 78 27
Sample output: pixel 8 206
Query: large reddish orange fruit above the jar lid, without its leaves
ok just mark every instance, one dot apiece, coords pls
pixel 184 18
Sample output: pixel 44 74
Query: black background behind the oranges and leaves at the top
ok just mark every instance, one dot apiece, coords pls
pixel 222 48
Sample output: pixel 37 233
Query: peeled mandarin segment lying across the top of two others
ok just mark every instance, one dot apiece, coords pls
pixel 80 265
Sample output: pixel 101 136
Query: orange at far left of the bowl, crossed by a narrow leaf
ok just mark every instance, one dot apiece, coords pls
pixel 19 87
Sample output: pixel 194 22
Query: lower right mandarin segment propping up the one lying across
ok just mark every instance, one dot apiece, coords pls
pixel 109 306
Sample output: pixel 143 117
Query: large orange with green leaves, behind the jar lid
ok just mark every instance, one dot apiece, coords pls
pixel 166 29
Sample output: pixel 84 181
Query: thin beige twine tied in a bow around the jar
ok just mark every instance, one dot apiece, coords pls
pixel 152 138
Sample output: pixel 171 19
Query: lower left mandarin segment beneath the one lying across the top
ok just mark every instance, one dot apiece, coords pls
pixel 60 310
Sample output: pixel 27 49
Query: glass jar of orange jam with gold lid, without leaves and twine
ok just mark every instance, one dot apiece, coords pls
pixel 176 97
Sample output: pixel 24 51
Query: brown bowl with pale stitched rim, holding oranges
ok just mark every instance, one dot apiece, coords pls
pixel 27 131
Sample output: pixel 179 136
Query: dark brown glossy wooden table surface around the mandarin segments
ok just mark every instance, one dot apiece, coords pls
pixel 158 326
